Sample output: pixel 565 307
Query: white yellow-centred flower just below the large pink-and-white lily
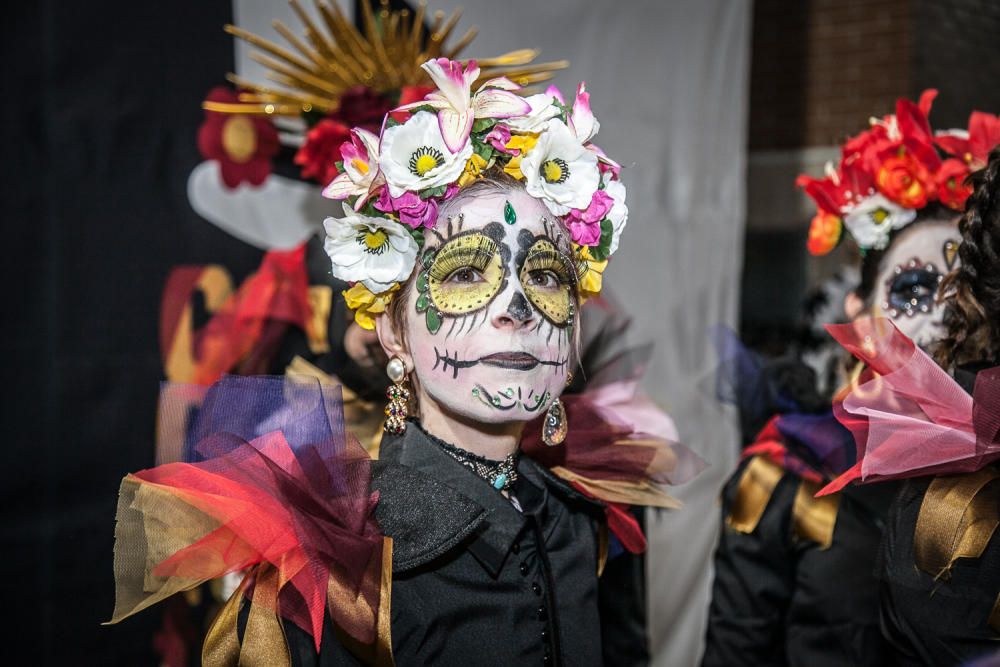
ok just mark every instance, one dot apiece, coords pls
pixel 414 157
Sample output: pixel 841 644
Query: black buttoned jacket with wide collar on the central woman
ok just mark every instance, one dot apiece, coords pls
pixel 475 582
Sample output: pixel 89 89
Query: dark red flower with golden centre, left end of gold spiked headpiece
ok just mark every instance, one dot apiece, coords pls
pixel 242 145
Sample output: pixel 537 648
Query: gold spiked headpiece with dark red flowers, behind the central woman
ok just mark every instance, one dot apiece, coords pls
pixel 334 77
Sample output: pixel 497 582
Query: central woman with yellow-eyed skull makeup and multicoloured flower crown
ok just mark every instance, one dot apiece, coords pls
pixel 474 227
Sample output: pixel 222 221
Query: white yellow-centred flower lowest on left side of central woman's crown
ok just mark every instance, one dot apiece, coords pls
pixel 377 252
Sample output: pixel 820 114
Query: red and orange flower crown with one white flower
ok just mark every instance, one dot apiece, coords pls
pixel 892 170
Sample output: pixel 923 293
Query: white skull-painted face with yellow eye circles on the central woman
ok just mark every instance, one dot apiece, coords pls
pixel 491 315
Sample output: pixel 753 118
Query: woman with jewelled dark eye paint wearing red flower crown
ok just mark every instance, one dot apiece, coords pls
pixel 795 580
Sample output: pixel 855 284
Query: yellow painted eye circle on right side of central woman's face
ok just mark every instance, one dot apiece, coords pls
pixel 548 278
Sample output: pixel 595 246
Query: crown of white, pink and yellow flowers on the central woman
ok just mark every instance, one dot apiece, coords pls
pixel 393 184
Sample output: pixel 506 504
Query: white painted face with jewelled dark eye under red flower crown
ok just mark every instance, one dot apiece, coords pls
pixel 909 275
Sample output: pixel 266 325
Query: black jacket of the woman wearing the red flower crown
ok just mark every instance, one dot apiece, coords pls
pixel 779 599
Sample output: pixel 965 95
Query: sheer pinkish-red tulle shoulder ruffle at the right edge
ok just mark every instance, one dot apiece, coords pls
pixel 909 417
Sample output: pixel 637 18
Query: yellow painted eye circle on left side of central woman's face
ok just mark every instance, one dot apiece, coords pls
pixel 466 274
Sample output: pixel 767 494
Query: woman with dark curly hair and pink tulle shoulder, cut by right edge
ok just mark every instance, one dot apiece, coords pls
pixel 940 559
